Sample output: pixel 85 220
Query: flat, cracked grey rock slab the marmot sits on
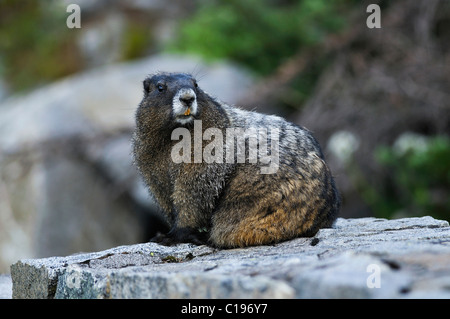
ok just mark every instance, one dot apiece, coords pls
pixel 357 258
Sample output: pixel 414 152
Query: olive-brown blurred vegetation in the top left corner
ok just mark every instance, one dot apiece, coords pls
pixel 34 48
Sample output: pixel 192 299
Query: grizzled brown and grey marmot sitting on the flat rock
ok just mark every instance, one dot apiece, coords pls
pixel 226 191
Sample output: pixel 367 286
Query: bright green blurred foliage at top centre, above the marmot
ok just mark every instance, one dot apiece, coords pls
pixel 259 34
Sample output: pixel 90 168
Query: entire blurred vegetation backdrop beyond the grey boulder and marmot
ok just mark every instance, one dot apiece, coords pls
pixel 377 99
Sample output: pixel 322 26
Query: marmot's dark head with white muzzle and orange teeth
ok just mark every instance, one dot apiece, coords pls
pixel 172 98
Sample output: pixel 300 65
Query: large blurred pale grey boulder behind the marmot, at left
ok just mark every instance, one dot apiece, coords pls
pixel 67 183
